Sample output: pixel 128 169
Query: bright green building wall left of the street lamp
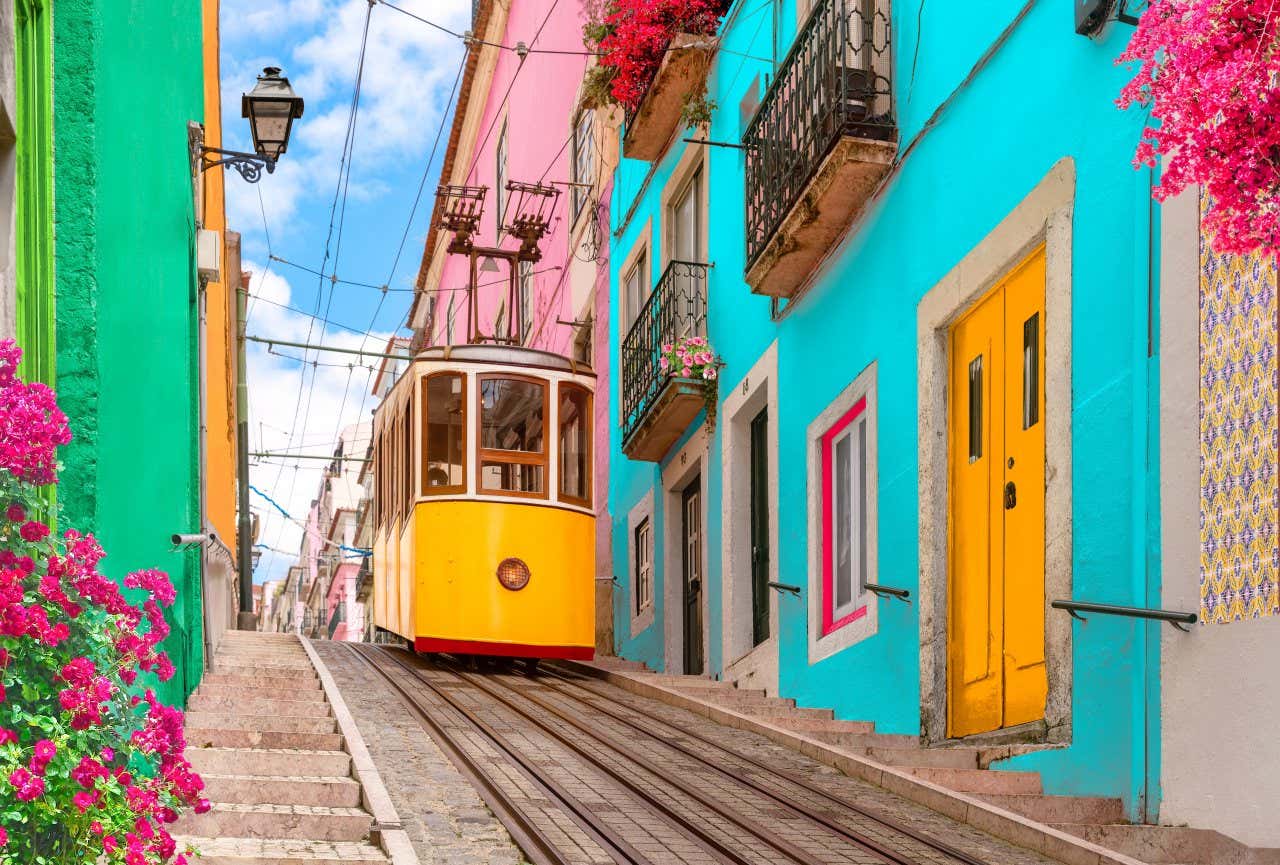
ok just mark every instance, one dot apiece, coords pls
pixel 127 81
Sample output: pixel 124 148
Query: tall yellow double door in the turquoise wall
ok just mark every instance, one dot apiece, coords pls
pixel 996 619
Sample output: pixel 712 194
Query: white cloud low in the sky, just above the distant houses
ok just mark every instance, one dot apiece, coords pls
pixel 324 399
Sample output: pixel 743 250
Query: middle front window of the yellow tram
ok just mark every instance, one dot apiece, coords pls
pixel 513 436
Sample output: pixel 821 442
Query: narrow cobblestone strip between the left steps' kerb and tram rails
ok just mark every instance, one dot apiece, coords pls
pixel 440 809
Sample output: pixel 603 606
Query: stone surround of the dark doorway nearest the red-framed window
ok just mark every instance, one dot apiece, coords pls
pixel 747 666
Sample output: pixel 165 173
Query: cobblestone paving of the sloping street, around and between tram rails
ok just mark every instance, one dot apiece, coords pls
pixel 643 776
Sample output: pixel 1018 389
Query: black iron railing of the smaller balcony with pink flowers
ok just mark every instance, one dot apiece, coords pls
pixel 676 309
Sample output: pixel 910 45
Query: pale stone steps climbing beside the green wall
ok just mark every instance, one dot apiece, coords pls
pixel 262 734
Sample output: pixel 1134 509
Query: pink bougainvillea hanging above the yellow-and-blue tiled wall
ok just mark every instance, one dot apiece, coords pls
pixel 1210 72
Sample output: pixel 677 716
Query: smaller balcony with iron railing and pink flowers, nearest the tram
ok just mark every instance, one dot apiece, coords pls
pixel 657 408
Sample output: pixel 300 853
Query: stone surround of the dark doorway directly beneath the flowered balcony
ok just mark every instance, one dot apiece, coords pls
pixel 689 463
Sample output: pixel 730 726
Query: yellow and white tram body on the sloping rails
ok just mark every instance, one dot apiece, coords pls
pixel 484 528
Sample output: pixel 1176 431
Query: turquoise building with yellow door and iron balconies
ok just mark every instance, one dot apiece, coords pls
pixel 916 240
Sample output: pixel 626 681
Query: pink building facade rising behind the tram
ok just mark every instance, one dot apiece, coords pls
pixel 520 118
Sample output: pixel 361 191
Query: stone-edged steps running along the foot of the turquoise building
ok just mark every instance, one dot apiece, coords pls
pixel 1017 808
